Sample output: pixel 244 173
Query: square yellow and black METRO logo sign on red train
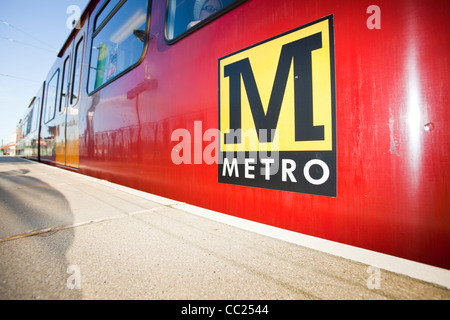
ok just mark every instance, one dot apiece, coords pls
pixel 279 96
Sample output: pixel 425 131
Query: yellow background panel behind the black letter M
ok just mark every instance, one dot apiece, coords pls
pixel 278 58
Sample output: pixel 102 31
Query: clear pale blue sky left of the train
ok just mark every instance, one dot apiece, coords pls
pixel 29 41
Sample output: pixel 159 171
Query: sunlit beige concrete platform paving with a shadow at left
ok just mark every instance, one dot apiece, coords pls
pixel 68 236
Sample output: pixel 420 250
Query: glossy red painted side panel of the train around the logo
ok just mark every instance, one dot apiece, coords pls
pixel 392 98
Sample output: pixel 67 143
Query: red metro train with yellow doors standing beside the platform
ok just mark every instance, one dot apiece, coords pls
pixel 321 117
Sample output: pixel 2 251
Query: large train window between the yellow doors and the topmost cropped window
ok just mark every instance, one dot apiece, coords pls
pixel 118 45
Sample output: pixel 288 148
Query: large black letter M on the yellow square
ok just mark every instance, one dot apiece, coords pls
pixel 298 53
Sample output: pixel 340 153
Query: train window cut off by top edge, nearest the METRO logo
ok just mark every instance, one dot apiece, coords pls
pixel 183 15
